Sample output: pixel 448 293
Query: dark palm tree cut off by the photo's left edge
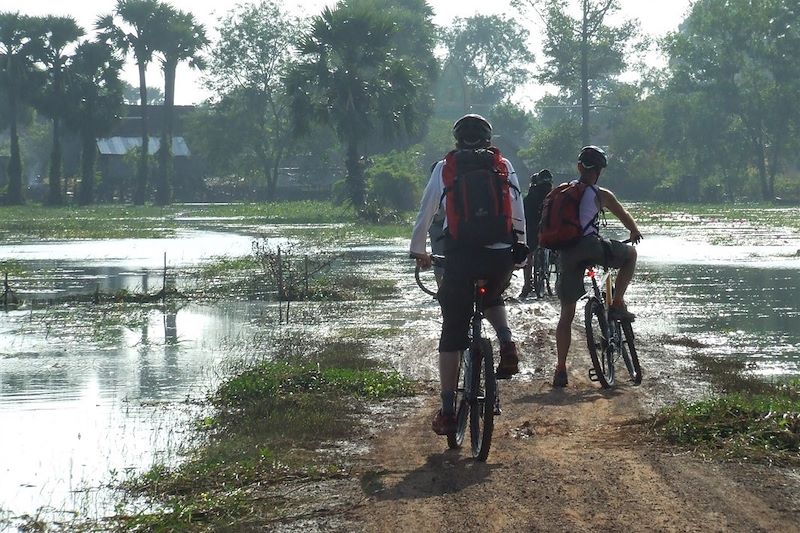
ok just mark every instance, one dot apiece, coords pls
pixel 19 46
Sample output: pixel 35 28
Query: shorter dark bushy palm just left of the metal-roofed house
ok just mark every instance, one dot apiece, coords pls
pixel 94 95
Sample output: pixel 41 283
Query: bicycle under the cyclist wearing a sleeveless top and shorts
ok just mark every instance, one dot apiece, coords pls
pixel 608 340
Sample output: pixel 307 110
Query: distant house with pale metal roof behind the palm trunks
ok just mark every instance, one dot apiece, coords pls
pixel 118 154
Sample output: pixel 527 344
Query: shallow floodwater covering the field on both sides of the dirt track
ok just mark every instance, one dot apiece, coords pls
pixel 89 392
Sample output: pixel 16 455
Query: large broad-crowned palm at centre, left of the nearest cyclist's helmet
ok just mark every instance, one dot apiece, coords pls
pixel 351 78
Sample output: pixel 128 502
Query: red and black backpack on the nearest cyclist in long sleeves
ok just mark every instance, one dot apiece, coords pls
pixel 477 190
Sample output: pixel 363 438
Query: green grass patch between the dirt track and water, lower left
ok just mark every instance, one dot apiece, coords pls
pixel 267 425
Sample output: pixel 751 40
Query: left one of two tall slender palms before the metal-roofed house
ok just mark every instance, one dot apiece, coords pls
pixel 134 27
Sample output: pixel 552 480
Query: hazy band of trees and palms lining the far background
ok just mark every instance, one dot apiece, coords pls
pixel 356 95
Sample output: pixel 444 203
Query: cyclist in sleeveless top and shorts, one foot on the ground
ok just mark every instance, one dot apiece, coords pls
pixel 592 249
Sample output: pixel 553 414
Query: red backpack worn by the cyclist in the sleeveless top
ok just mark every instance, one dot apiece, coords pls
pixel 560 225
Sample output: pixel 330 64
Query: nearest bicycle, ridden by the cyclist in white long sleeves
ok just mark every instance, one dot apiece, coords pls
pixel 477 397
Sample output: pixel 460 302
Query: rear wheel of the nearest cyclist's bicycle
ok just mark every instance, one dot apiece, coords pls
pixel 482 397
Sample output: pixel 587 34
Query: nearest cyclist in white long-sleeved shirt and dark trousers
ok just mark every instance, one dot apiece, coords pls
pixel 465 262
